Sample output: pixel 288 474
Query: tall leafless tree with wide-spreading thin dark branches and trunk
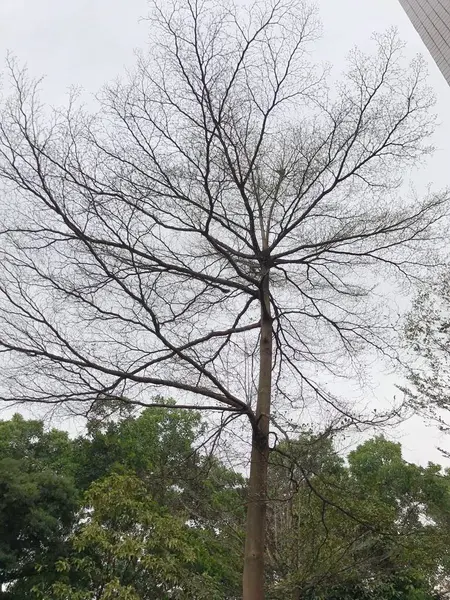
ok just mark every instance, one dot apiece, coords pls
pixel 222 226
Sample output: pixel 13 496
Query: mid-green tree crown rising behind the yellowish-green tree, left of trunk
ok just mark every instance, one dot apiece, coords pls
pixel 158 446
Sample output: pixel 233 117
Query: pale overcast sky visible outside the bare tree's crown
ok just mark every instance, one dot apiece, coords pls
pixel 89 42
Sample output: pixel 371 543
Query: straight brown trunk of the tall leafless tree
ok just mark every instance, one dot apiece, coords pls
pixel 253 579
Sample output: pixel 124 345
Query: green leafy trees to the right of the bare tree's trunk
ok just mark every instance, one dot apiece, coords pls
pixel 373 528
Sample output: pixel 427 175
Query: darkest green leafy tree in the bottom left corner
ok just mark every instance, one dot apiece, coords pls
pixel 37 511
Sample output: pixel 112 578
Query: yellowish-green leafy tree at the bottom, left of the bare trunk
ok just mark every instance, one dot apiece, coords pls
pixel 127 547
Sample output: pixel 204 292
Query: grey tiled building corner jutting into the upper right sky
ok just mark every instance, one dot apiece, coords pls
pixel 431 18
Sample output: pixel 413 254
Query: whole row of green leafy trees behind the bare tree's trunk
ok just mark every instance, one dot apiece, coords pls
pixel 130 510
